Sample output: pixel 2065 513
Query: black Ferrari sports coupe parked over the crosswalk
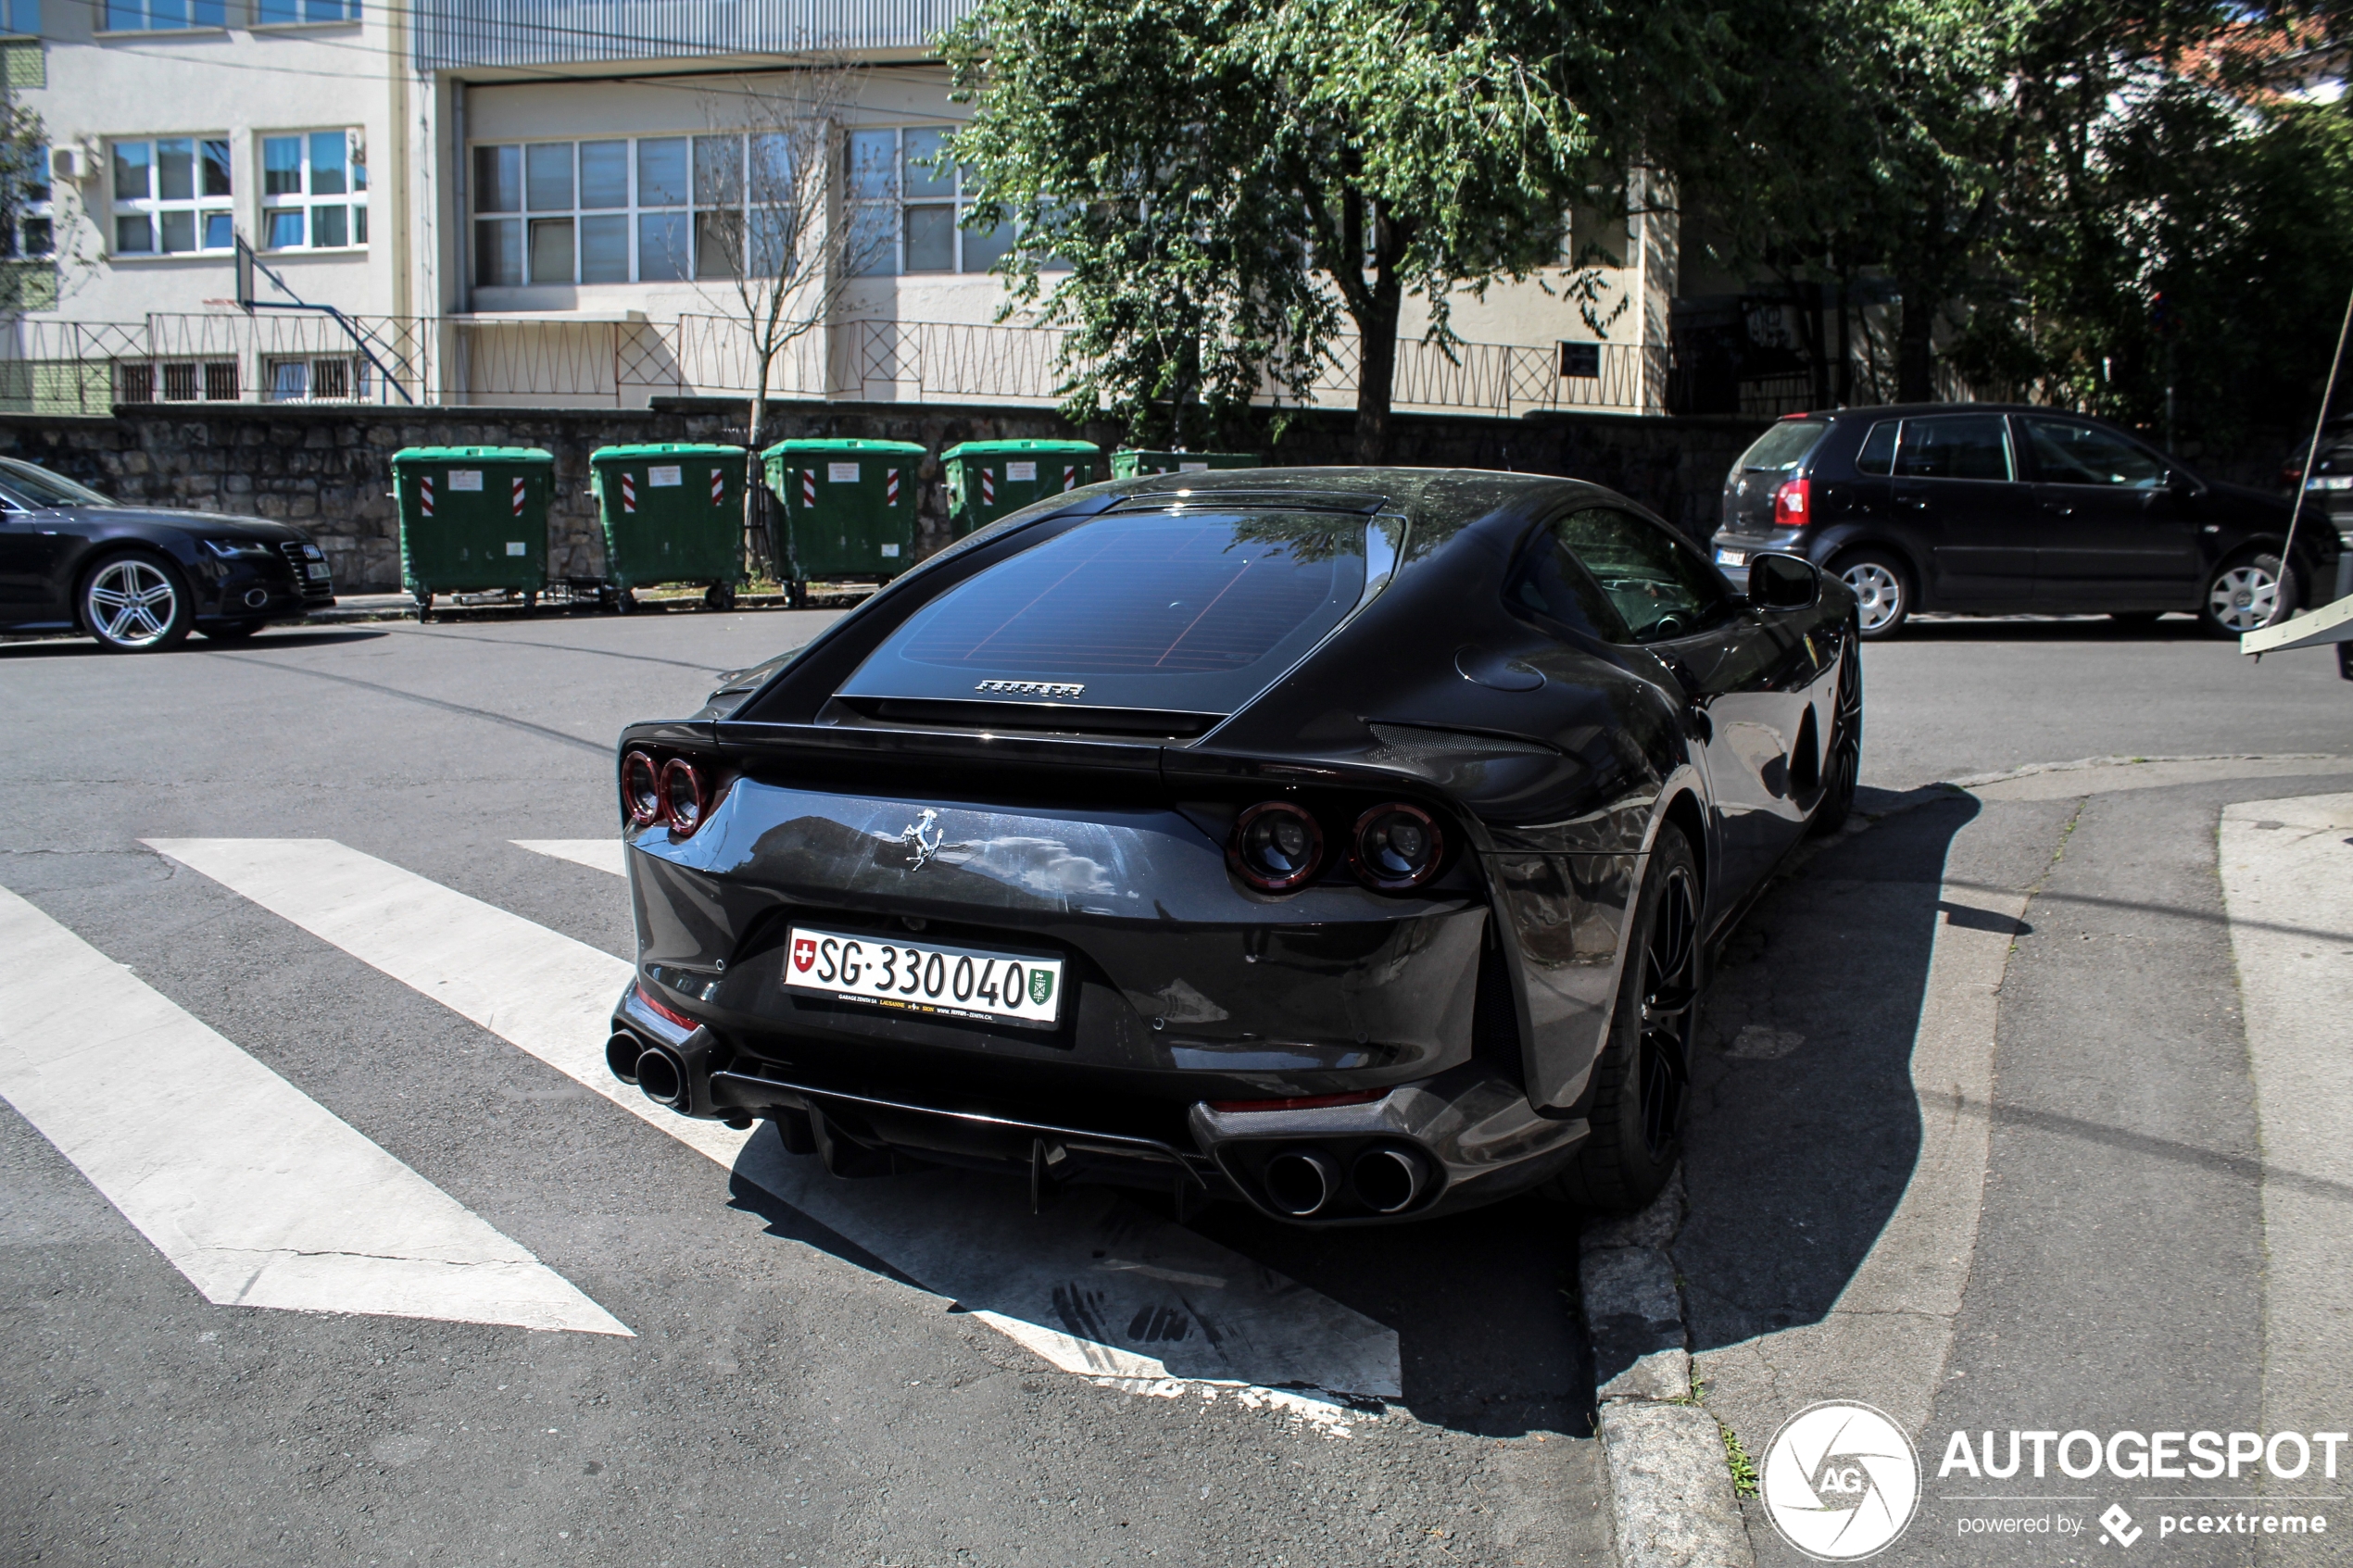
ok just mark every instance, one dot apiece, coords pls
pixel 1345 843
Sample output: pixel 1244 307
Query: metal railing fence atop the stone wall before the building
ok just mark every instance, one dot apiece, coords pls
pixel 88 368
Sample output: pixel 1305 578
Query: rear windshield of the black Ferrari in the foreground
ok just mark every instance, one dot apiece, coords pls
pixel 1189 612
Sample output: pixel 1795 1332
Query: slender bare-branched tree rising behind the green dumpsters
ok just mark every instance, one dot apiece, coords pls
pixel 771 250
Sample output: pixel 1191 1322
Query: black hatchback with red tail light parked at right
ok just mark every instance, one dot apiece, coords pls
pixel 1992 509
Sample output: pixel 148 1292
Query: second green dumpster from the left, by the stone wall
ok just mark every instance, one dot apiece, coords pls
pixel 674 514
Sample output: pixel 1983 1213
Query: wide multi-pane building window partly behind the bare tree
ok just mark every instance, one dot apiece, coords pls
pixel 648 210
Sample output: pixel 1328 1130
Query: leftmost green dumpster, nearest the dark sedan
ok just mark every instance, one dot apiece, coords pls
pixel 474 521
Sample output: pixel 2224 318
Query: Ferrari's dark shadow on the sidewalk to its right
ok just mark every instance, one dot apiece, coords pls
pixel 1806 1127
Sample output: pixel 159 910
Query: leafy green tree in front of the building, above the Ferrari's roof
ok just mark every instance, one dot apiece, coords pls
pixel 1232 182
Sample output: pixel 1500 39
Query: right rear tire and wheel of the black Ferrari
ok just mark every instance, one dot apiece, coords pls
pixel 1644 1078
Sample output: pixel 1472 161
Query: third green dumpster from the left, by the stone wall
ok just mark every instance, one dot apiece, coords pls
pixel 848 509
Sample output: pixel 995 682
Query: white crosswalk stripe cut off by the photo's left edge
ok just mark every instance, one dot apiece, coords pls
pixel 244 1184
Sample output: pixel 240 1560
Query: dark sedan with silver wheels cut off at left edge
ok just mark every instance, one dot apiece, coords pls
pixel 140 577
